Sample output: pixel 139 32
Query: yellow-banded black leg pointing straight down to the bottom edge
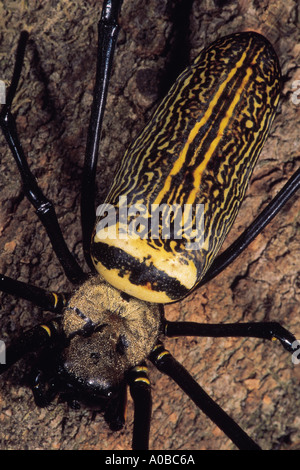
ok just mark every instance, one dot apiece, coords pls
pixel 140 390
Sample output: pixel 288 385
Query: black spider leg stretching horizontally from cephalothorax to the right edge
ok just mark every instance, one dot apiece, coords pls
pixel 264 330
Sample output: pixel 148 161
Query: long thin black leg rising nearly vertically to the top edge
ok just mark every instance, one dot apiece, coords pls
pixel 107 35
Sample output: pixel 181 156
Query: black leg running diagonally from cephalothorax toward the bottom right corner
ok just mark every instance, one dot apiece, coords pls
pixel 166 363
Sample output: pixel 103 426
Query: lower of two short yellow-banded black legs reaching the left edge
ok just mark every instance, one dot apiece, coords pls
pixel 31 340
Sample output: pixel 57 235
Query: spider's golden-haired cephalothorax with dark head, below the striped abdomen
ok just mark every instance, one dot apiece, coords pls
pixel 102 326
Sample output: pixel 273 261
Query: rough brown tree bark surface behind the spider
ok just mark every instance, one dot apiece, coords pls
pixel 255 381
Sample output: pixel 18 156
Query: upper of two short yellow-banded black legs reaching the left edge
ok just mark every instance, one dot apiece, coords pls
pixel 47 300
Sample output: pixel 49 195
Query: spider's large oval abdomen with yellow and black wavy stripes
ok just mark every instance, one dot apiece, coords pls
pixel 199 148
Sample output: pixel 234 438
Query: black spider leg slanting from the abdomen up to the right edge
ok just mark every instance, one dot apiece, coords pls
pixel 262 220
